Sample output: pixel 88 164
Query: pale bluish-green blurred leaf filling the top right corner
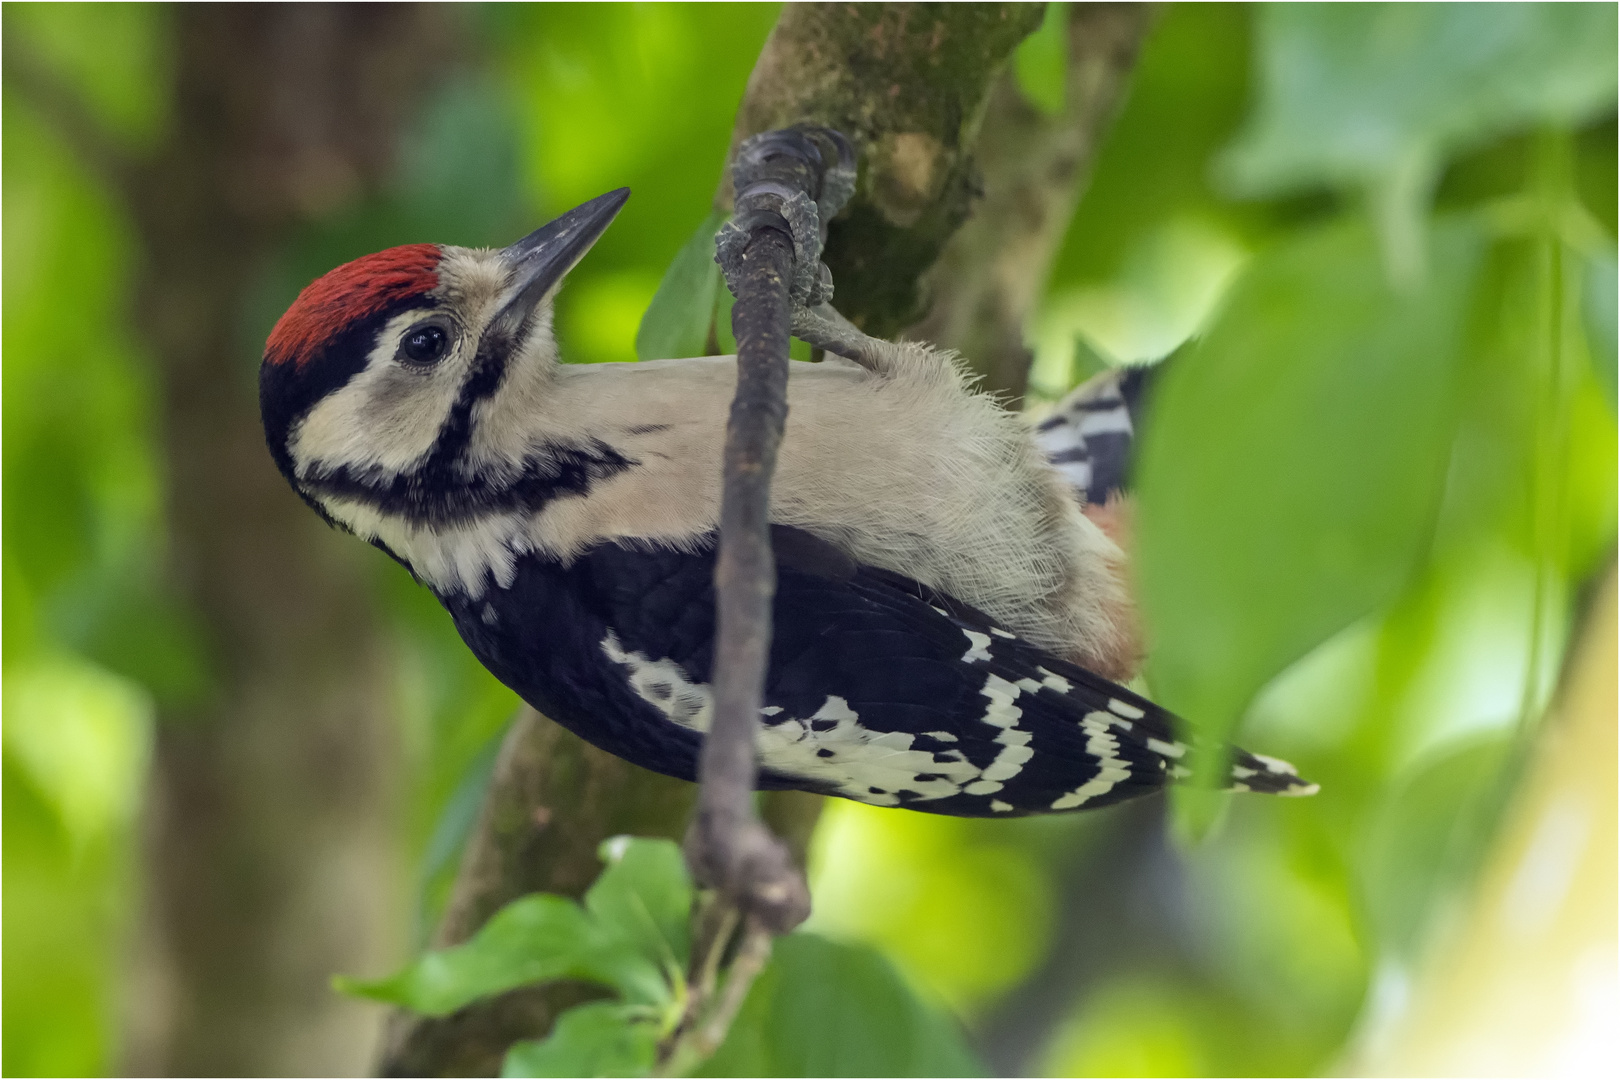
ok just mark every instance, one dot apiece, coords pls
pixel 1354 93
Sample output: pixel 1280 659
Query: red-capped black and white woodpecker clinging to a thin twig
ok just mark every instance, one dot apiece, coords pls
pixel 950 627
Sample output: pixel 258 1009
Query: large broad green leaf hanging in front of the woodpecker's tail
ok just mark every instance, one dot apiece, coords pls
pixel 1294 462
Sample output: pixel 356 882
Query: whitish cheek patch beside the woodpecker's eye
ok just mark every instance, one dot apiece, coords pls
pixel 386 419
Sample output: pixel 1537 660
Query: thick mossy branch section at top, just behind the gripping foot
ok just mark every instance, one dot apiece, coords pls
pixel 908 83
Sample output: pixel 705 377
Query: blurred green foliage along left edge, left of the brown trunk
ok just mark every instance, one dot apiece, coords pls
pixel 90 639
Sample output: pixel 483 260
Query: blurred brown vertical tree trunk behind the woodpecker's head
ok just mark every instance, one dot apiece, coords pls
pixel 273 849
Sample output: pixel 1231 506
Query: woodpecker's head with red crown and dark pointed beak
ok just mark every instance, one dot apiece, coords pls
pixel 401 383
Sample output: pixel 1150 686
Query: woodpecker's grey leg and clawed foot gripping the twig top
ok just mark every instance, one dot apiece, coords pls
pixel 830 164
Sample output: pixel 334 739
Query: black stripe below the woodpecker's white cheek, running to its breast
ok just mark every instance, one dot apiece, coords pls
pixel 445 493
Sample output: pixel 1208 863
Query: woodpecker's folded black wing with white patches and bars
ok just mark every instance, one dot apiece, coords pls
pixel 880 691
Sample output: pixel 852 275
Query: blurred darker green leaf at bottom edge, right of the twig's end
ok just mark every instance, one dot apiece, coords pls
pixel 827 1010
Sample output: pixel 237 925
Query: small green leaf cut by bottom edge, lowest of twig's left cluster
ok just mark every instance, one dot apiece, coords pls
pixel 600 1039
